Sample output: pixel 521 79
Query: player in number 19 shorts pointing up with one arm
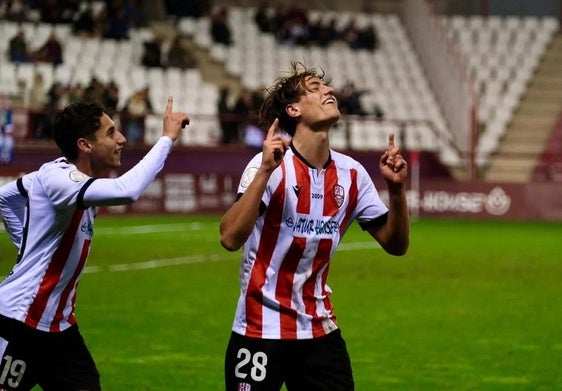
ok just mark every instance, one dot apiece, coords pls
pixel 49 215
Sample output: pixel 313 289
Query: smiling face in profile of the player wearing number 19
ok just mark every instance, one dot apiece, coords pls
pixel 107 147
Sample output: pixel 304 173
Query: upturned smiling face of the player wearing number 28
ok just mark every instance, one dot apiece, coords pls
pixel 319 105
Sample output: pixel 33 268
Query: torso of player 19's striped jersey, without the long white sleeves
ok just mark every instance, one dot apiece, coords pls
pixel 41 289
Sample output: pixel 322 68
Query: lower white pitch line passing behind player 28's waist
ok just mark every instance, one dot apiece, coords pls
pixel 158 263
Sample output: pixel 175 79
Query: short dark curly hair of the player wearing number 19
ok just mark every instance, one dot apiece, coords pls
pixel 77 120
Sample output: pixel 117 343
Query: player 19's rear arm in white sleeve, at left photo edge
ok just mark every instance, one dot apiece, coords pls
pixel 13 200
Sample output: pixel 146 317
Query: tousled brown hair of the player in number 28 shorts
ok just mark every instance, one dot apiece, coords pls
pixel 284 91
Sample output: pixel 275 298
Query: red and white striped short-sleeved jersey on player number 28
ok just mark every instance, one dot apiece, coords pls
pixel 286 259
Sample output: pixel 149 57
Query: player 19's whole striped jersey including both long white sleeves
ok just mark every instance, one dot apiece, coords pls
pixel 58 226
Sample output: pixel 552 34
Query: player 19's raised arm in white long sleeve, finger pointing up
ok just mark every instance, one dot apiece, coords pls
pixel 128 187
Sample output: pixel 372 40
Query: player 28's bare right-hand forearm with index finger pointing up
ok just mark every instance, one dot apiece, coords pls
pixel 394 234
